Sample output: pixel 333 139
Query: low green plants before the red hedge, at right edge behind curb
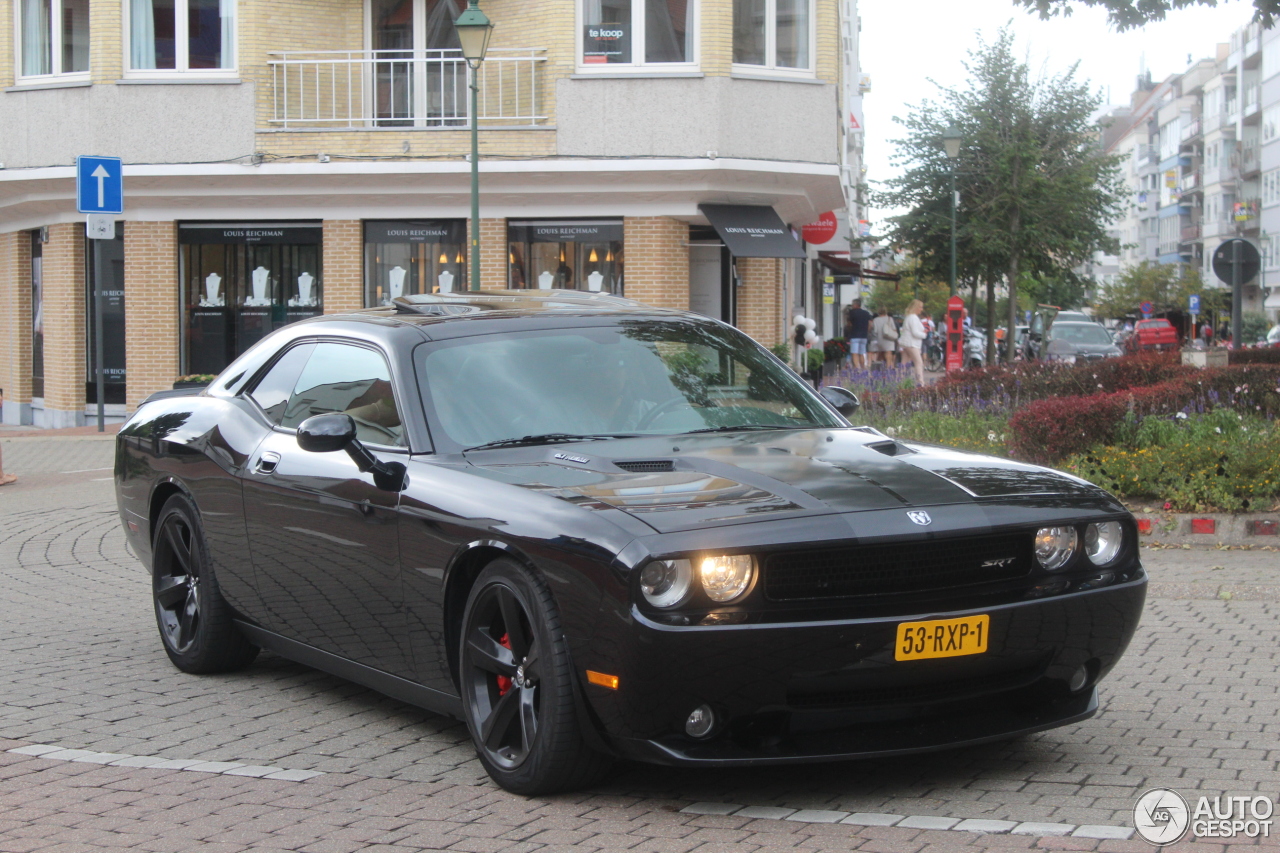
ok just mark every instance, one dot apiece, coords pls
pixel 1220 460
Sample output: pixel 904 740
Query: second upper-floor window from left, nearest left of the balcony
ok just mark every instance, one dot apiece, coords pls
pixel 182 35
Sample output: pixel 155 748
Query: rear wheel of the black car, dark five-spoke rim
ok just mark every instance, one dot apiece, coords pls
pixel 195 623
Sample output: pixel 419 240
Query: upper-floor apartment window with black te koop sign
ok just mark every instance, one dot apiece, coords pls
pixel 629 34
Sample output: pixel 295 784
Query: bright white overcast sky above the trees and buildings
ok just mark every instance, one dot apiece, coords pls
pixel 906 44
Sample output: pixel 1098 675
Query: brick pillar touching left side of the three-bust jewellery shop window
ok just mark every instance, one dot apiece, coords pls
pixel 152 311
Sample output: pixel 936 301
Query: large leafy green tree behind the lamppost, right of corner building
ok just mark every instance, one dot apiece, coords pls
pixel 1037 193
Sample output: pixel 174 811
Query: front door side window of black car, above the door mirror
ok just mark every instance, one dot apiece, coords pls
pixel 349 380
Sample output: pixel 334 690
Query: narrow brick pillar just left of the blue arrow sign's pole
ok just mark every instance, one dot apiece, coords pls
pixel 65 325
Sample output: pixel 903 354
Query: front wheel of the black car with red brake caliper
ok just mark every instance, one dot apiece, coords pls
pixel 518 686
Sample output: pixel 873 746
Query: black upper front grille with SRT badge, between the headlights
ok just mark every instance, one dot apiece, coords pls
pixel 898 568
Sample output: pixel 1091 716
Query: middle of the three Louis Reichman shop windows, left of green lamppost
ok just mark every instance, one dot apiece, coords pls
pixel 406 258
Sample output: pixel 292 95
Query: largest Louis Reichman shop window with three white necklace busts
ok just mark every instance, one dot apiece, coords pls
pixel 241 282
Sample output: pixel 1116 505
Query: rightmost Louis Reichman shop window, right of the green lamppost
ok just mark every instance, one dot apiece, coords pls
pixel 575 256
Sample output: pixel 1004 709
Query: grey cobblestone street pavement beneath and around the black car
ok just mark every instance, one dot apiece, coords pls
pixel 1194 706
